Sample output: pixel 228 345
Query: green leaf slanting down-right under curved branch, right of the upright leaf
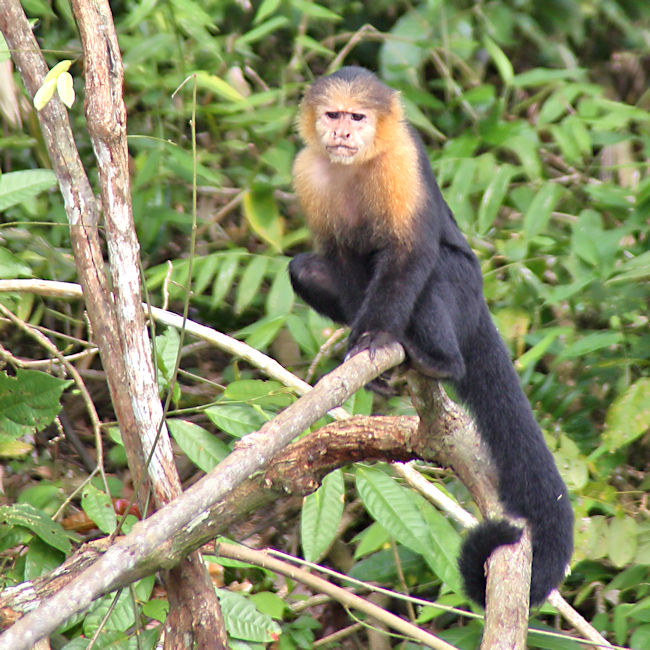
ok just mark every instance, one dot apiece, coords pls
pixel 393 507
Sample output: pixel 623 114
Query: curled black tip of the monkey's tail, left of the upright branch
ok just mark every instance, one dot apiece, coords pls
pixel 477 548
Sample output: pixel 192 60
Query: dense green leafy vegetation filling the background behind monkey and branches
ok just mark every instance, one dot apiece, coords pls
pixel 536 120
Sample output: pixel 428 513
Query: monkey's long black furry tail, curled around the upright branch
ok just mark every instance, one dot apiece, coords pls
pixel 530 485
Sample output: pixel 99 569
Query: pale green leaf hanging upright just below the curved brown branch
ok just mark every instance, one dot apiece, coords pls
pixel 321 515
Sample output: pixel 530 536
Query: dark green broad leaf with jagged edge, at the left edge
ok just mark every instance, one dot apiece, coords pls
pixel 29 401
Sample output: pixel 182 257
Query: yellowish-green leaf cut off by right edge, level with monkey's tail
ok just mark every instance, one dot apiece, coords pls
pixel 628 418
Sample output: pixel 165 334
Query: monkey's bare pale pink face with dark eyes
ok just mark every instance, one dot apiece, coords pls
pixel 346 135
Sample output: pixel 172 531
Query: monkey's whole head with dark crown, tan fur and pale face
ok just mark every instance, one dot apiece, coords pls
pixel 345 115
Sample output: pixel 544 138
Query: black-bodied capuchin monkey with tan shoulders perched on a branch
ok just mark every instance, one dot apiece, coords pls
pixel 392 263
